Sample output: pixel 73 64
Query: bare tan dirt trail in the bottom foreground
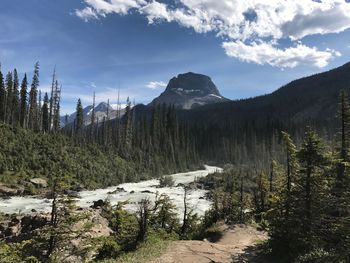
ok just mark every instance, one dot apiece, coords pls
pixel 230 244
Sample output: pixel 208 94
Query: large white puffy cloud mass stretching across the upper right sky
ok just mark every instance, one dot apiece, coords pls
pixel 245 23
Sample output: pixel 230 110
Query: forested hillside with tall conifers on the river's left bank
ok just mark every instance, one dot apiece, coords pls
pixel 101 154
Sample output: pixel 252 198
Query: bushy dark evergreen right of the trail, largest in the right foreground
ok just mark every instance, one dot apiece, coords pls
pixel 312 184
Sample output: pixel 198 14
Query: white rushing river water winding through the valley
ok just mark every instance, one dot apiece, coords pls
pixel 133 193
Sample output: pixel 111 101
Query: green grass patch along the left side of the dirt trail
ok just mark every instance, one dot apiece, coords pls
pixel 152 248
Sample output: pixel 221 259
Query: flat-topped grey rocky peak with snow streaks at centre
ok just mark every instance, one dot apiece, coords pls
pixel 190 90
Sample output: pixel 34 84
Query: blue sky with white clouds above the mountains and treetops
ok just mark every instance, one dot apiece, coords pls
pixel 247 47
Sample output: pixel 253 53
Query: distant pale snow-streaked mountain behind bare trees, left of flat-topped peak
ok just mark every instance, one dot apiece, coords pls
pixel 100 113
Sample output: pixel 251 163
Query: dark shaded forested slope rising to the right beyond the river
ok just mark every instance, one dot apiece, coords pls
pixel 248 131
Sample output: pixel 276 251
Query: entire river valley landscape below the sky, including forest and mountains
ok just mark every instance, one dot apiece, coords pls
pixel 131 184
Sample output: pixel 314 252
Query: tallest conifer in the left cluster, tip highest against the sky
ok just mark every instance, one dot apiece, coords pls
pixel 33 104
